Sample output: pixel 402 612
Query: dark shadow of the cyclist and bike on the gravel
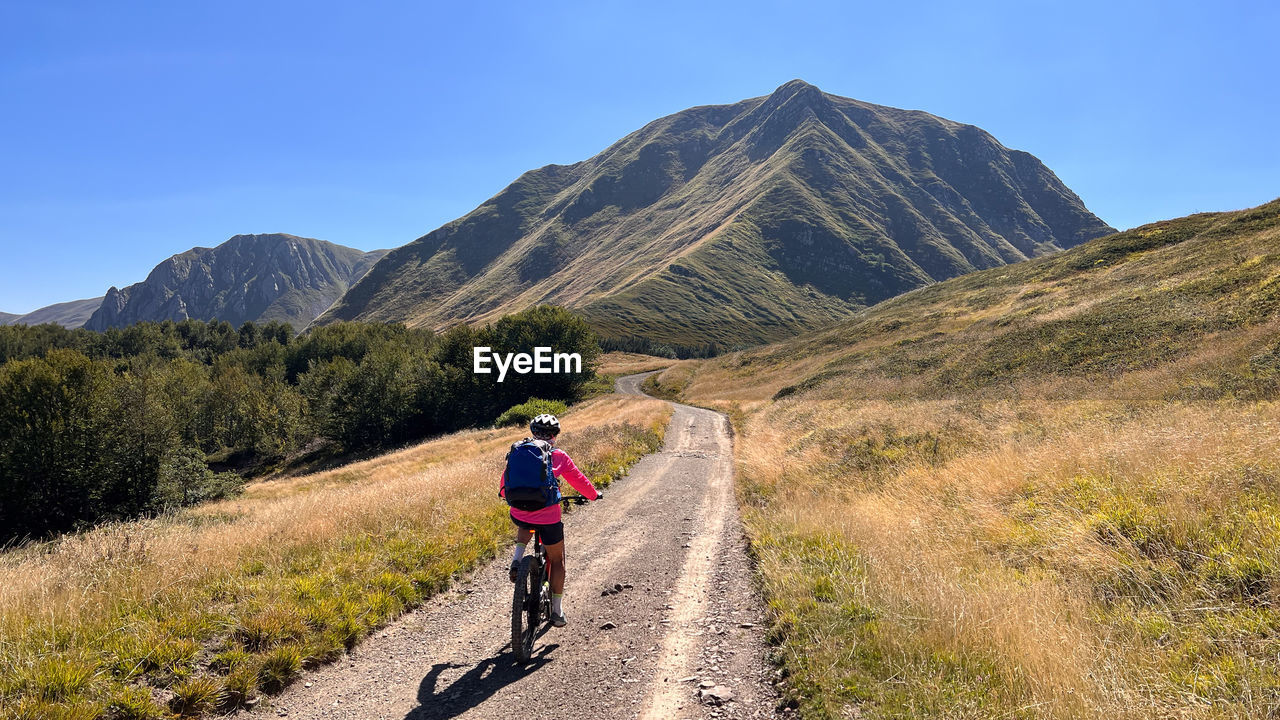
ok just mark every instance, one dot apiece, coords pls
pixel 476 687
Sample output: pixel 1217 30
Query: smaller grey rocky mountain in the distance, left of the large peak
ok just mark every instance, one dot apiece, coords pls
pixel 250 277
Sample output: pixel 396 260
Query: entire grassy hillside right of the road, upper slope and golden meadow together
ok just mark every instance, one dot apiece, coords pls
pixel 1048 490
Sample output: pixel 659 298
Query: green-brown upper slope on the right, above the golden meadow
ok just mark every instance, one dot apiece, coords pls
pixel 1130 302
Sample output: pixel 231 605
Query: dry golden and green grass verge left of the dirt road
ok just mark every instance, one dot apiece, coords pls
pixel 208 610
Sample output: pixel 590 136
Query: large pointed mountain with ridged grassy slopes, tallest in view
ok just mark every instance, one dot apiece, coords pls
pixel 737 224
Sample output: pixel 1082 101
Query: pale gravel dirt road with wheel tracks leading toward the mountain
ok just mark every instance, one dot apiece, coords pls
pixel 685 617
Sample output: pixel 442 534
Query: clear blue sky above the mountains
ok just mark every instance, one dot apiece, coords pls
pixel 132 131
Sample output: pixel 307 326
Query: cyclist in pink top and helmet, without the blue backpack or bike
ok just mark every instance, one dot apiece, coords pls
pixel 547 521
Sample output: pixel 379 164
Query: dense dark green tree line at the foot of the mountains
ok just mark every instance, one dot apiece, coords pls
pixel 124 423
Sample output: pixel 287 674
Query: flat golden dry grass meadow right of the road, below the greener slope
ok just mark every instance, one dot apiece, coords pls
pixel 1016 571
